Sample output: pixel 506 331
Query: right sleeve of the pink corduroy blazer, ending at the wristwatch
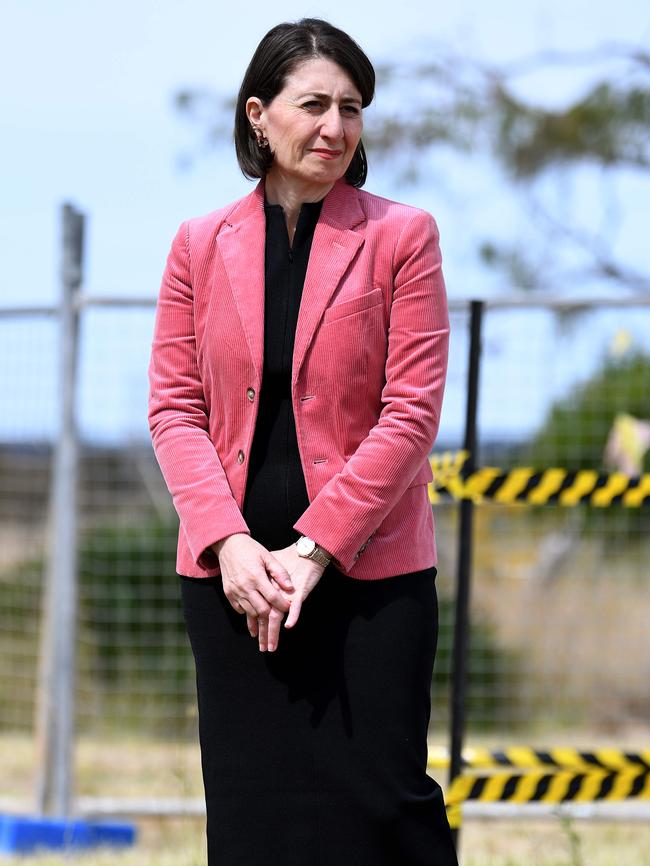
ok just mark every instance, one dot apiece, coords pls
pixel 352 504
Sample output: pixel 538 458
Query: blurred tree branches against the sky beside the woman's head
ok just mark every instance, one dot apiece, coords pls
pixel 477 110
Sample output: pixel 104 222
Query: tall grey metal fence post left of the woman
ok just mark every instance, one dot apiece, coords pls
pixel 55 701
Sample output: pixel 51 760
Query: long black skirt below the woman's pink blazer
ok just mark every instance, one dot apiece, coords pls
pixel 315 754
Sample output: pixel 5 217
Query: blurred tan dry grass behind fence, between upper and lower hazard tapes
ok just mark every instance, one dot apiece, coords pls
pixel 574 610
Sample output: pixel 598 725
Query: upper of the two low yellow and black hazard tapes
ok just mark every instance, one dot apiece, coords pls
pixel 524 757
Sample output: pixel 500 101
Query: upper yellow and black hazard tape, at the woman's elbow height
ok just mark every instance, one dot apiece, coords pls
pixel 535 487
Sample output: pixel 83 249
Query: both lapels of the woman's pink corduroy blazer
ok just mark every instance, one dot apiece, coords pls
pixel 241 244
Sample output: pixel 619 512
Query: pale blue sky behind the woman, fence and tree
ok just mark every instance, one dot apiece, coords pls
pixel 86 116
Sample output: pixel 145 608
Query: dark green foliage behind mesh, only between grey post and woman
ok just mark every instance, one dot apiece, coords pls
pixel 131 624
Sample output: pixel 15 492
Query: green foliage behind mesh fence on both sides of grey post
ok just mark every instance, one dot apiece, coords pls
pixel 134 663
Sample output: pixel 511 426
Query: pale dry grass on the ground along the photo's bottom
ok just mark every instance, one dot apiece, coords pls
pixel 138 769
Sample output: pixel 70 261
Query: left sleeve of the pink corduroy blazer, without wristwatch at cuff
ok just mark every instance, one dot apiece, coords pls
pixel 178 416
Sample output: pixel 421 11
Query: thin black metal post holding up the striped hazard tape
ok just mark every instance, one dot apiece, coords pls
pixel 464 573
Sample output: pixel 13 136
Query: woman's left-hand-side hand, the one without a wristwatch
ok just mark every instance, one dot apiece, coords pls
pixel 248 570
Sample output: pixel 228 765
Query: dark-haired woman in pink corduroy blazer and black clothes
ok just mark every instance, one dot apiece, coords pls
pixel 297 374
